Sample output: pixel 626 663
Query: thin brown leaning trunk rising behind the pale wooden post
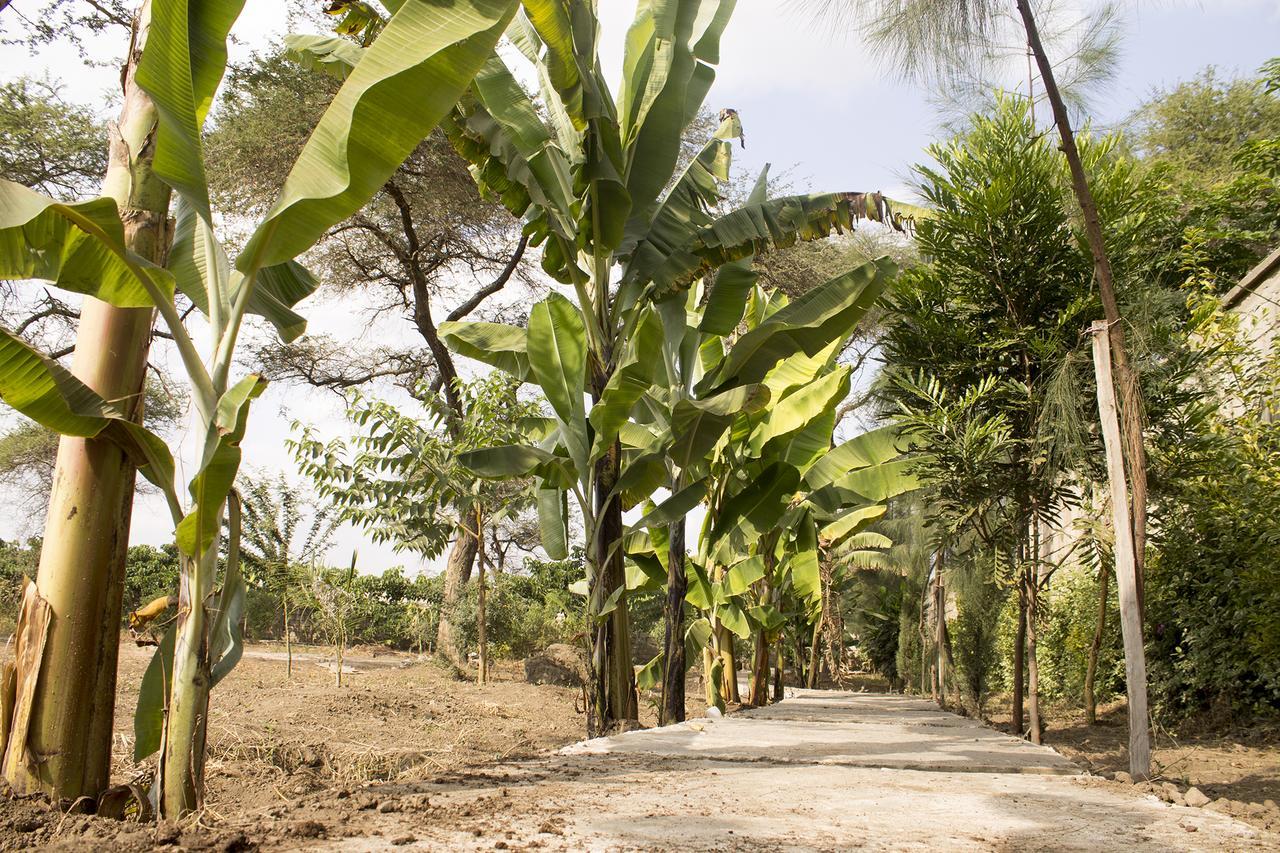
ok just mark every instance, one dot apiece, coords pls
pixel 1135 455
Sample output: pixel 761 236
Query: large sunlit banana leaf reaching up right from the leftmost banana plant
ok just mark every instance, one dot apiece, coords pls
pixel 405 84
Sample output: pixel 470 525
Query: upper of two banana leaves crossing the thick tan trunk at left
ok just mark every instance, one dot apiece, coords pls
pixel 79 248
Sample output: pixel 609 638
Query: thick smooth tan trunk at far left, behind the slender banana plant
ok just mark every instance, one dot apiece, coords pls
pixel 67 719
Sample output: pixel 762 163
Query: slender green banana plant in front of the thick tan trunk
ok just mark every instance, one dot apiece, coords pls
pixel 404 84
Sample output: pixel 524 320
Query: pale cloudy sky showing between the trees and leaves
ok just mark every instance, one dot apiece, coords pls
pixel 811 101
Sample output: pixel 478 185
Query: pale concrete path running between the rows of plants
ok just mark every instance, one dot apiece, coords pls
pixel 819 772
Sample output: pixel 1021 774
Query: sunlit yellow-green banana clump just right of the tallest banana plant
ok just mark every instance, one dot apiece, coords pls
pixel 761 533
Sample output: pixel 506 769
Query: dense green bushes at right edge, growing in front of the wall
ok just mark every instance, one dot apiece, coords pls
pixel 1214 587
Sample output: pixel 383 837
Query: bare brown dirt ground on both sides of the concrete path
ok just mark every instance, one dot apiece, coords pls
pixel 405 754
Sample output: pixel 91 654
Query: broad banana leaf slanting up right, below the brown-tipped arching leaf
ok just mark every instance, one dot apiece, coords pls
pixel 810 325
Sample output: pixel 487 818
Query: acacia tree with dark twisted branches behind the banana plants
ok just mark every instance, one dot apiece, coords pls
pixel 426 239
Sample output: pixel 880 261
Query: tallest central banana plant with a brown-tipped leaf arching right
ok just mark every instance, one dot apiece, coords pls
pixel 588 174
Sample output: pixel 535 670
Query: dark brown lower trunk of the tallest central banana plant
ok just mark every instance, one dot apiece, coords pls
pixel 614 676
